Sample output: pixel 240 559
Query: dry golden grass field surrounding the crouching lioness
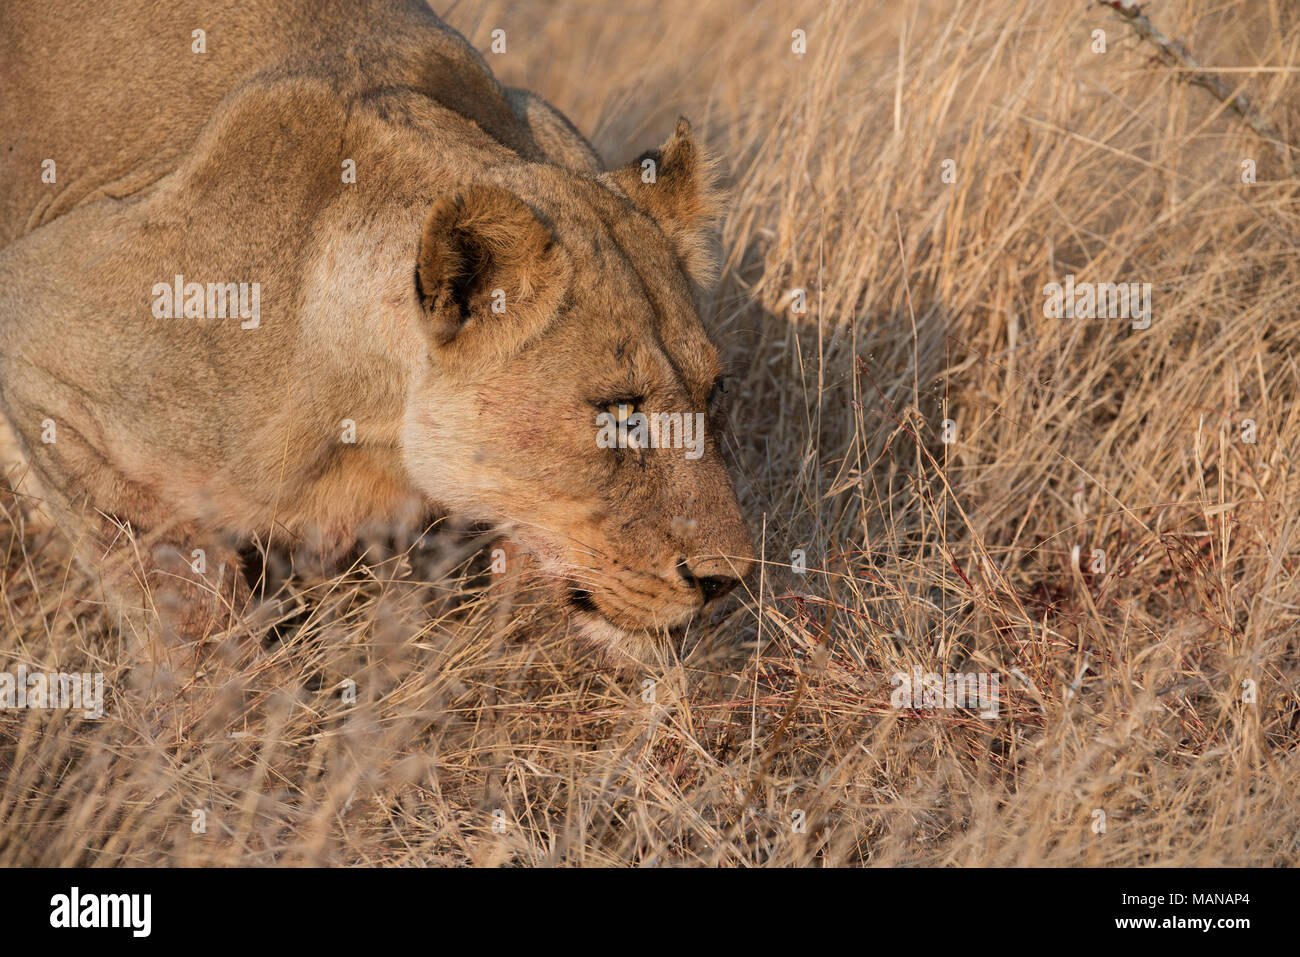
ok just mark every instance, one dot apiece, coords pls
pixel 1163 694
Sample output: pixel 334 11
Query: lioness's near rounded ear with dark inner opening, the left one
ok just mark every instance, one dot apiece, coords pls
pixel 484 257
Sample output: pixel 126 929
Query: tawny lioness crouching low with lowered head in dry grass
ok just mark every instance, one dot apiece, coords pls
pixel 296 269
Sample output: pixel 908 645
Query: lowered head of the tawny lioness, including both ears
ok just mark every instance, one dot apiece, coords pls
pixel 571 392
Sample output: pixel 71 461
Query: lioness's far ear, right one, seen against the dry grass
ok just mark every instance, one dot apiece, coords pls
pixel 675 187
